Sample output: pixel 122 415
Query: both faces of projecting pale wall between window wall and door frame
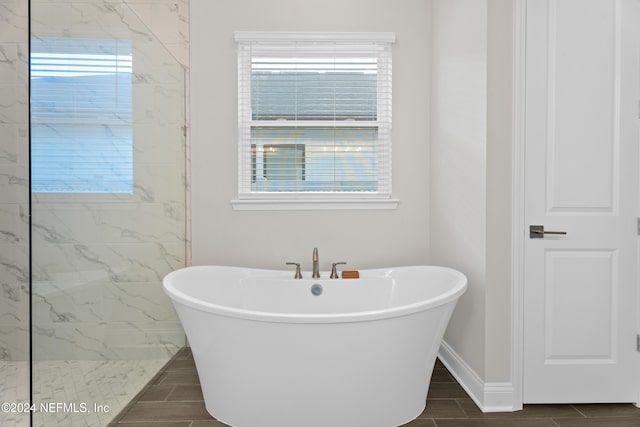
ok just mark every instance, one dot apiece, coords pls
pixel 471 138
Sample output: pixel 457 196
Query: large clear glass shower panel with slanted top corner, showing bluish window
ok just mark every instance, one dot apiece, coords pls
pixel 108 206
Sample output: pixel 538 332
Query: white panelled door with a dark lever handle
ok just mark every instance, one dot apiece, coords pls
pixel 581 177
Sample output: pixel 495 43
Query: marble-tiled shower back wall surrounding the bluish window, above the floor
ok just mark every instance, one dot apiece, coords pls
pixel 98 259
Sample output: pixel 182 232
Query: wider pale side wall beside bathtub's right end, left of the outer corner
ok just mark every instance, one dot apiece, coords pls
pixel 458 164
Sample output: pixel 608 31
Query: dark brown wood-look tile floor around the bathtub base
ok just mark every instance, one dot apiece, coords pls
pixel 174 399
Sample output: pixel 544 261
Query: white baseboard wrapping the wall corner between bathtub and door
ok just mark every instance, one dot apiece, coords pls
pixel 490 397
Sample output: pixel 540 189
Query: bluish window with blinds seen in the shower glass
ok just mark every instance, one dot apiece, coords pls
pixel 81 109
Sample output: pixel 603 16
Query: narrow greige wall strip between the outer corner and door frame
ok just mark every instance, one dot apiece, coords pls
pixel 499 154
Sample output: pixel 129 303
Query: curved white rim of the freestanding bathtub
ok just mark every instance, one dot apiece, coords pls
pixel 458 287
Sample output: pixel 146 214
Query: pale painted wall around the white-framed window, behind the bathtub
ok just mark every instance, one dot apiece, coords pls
pixel 267 239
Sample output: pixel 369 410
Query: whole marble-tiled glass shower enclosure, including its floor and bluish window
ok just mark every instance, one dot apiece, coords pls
pixel 92 212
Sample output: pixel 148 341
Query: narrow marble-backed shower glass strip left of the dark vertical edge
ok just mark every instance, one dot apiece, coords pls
pixel 14 208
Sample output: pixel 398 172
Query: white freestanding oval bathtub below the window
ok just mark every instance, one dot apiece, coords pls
pixel 274 351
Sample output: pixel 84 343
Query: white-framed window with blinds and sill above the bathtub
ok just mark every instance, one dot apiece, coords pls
pixel 314 118
